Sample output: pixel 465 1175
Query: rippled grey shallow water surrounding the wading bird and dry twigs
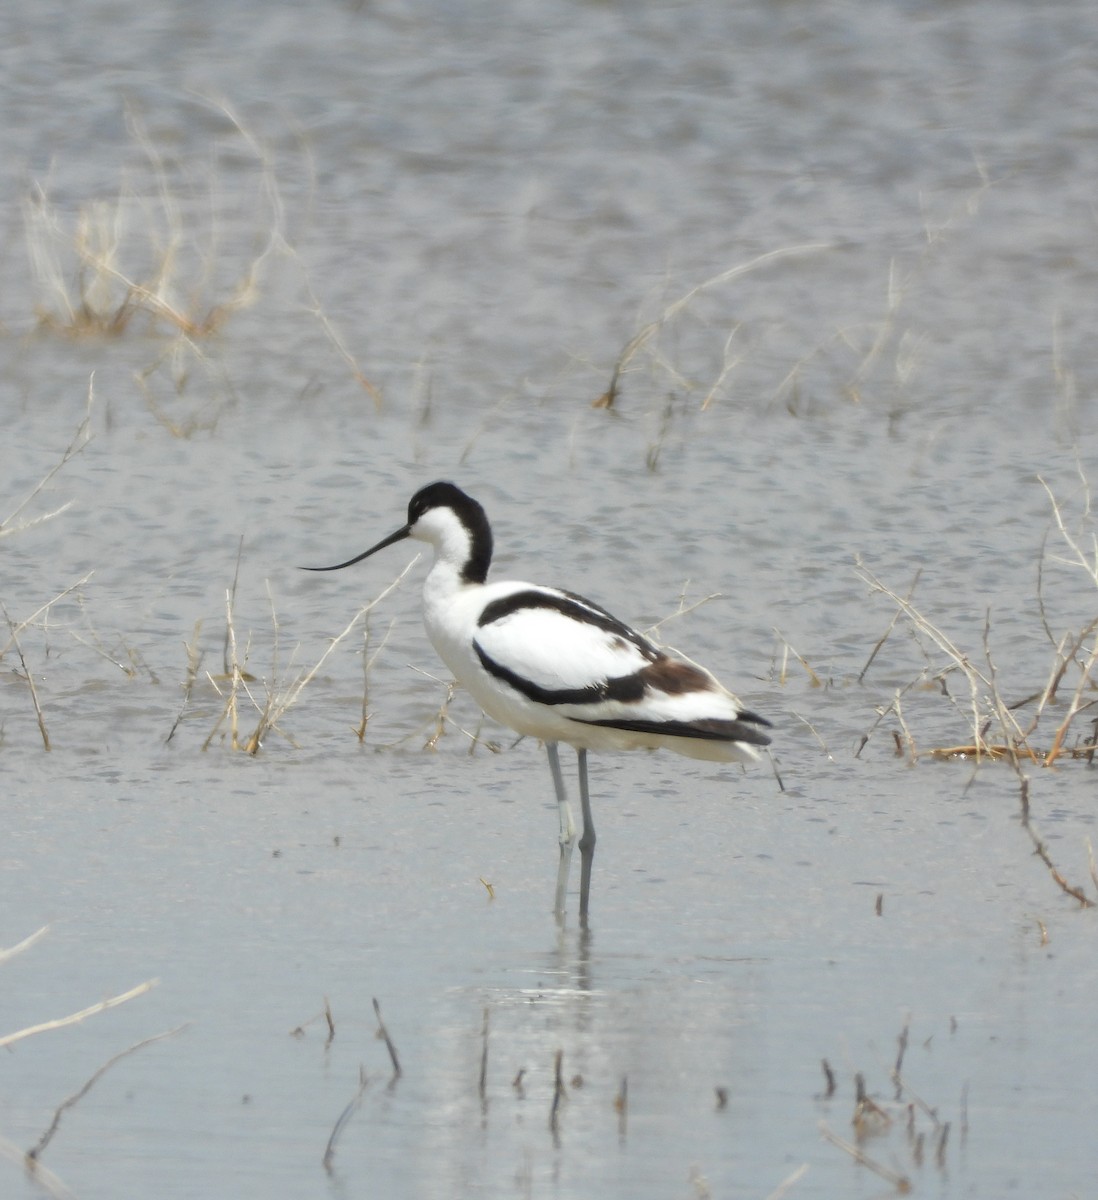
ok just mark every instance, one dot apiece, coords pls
pixel 485 211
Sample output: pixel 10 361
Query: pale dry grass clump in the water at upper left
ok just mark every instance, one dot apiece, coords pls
pixel 151 260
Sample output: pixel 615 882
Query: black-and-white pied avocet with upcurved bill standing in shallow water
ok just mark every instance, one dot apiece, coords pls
pixel 555 667
